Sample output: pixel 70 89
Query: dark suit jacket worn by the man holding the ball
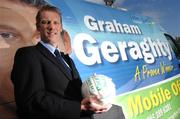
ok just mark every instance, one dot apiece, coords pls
pixel 43 89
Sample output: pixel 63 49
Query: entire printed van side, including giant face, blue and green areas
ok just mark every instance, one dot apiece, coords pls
pixel 128 48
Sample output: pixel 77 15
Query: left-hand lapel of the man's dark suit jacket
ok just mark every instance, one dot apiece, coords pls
pixel 52 58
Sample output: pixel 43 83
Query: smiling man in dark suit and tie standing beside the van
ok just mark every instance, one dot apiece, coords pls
pixel 46 85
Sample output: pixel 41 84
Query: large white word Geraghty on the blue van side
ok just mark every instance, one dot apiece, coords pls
pixel 88 50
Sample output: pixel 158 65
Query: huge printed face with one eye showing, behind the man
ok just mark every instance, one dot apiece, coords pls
pixel 17 29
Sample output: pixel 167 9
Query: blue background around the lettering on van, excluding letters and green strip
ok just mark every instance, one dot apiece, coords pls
pixel 122 72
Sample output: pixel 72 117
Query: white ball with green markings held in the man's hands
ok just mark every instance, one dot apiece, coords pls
pixel 101 86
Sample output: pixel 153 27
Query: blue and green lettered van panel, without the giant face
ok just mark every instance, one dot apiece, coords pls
pixel 129 48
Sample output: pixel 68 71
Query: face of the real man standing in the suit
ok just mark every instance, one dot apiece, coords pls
pixel 50 27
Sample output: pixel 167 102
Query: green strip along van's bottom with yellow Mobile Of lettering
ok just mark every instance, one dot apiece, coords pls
pixel 160 101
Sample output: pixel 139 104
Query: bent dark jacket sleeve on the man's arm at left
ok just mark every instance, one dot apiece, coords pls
pixel 31 95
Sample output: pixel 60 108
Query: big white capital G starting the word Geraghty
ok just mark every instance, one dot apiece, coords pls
pixel 84 42
